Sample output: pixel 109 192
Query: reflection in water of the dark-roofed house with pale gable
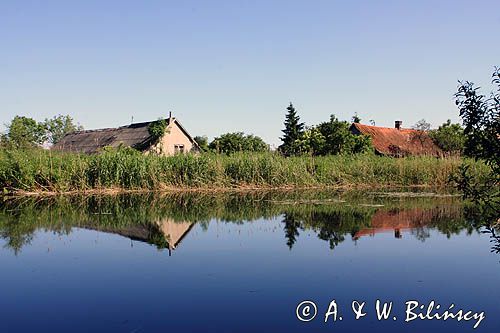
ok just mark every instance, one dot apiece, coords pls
pixel 165 233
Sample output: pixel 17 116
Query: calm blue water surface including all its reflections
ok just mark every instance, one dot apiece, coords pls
pixel 241 262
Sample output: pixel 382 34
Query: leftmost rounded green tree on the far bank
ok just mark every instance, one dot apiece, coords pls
pixel 25 132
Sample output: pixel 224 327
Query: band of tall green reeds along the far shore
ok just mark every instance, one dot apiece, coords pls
pixel 47 171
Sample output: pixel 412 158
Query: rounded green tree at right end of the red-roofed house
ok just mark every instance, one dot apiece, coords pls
pixel 449 137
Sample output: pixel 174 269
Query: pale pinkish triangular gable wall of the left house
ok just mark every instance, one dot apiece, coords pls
pixel 173 137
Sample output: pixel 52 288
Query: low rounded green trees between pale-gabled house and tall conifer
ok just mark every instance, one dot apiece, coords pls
pixel 229 143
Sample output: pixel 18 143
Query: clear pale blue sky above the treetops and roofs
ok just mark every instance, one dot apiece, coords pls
pixel 224 66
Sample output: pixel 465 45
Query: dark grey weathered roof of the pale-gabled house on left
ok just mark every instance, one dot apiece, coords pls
pixel 91 141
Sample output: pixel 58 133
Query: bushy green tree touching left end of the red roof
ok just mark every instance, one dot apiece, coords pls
pixel 339 139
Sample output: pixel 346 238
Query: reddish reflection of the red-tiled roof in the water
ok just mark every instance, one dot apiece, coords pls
pixel 398 221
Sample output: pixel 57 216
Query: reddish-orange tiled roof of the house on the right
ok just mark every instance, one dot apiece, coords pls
pixel 398 142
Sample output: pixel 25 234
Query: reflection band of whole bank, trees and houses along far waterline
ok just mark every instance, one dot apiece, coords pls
pixel 164 220
